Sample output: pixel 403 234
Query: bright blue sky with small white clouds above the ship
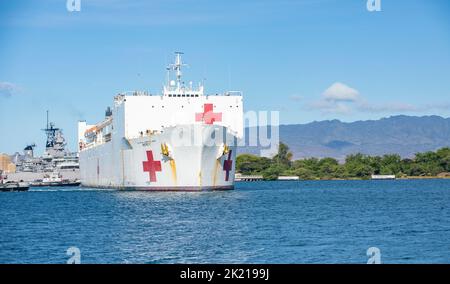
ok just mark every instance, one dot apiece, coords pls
pixel 311 60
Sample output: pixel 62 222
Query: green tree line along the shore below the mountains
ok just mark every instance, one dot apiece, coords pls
pixel 355 166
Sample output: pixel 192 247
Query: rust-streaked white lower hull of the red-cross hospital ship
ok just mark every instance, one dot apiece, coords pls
pixel 193 157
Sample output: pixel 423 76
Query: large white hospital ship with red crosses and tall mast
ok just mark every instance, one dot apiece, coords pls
pixel 180 140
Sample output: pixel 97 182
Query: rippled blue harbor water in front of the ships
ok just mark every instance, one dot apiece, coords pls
pixel 258 222
